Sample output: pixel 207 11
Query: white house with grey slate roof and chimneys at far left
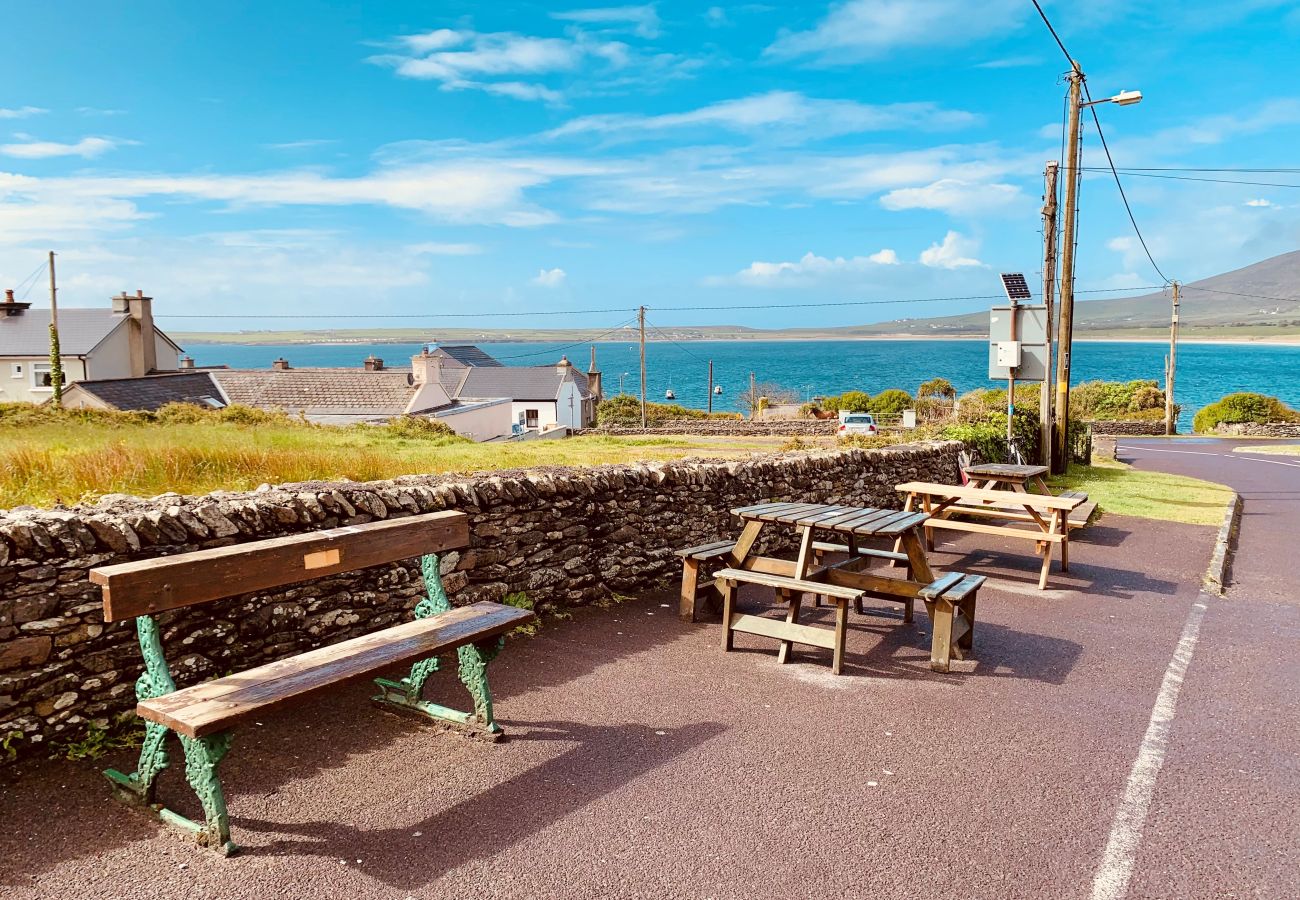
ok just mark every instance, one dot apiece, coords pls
pixel 116 343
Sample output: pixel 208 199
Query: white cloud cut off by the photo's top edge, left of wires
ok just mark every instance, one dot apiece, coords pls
pixel 863 29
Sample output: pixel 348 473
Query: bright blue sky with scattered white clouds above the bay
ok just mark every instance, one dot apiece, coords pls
pixel 326 163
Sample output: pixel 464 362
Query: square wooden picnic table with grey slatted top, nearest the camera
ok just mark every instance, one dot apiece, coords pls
pixel 950 599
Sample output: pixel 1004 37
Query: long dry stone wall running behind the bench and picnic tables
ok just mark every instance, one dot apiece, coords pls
pixel 564 538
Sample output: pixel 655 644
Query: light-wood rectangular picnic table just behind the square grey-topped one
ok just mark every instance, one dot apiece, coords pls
pixel 1045 520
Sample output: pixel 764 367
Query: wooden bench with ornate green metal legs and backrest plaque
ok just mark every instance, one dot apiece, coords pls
pixel 203 716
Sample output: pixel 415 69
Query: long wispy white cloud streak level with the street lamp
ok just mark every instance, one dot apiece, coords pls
pixel 803 118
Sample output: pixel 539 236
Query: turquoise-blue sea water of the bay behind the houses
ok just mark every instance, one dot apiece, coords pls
pixel 1206 371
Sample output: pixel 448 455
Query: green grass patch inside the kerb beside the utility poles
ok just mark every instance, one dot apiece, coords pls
pixel 1126 491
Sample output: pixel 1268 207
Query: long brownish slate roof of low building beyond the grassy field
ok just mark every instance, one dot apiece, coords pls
pixel 322 392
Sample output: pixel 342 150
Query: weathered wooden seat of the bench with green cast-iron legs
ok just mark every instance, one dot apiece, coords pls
pixel 218 706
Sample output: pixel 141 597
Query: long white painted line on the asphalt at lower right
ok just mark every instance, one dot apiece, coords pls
pixel 1117 863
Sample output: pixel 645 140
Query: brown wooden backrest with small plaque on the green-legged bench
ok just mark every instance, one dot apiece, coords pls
pixel 188 579
